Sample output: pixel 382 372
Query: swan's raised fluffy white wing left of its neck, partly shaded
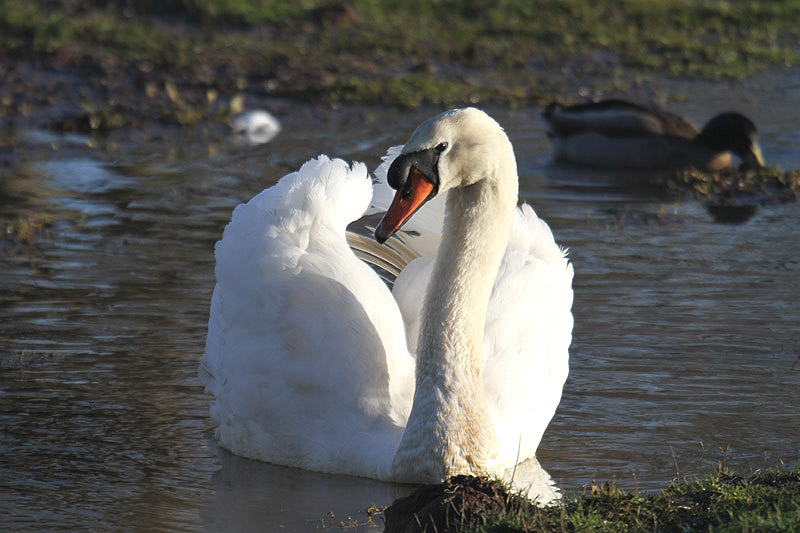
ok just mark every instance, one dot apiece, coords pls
pixel 305 353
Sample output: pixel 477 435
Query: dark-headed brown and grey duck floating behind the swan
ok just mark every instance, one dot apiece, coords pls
pixel 620 134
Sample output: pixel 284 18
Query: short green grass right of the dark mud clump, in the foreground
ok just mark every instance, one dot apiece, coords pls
pixel 766 501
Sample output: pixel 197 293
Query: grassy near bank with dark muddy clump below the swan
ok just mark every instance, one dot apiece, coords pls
pixel 765 501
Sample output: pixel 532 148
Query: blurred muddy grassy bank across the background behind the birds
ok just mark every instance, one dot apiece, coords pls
pixel 177 61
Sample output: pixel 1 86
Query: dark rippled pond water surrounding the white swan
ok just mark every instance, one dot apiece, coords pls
pixel 685 349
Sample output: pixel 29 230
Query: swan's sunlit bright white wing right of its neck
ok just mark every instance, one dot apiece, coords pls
pixel 527 336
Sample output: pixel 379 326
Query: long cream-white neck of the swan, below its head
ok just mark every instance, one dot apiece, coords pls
pixel 450 430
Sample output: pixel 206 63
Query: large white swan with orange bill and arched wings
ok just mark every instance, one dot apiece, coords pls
pixel 307 353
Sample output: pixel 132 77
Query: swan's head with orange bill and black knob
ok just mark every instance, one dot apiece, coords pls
pixel 456 148
